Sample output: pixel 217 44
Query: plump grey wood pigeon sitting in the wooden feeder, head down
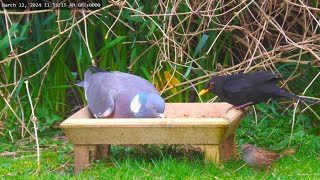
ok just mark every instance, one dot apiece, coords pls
pixel 120 95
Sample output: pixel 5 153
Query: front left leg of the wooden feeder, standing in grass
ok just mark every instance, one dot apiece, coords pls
pixel 81 157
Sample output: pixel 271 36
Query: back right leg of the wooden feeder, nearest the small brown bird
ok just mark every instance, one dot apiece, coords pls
pixel 228 148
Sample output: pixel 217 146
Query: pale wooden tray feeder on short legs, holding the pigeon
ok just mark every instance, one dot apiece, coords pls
pixel 205 124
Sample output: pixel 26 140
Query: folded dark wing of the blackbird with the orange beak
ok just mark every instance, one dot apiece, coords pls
pixel 242 82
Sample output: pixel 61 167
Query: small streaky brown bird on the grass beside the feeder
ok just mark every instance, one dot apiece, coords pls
pixel 259 158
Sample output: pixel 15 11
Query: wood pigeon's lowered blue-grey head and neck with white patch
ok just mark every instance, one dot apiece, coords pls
pixel 147 105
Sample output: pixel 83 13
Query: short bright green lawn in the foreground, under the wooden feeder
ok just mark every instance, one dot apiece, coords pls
pixel 174 162
